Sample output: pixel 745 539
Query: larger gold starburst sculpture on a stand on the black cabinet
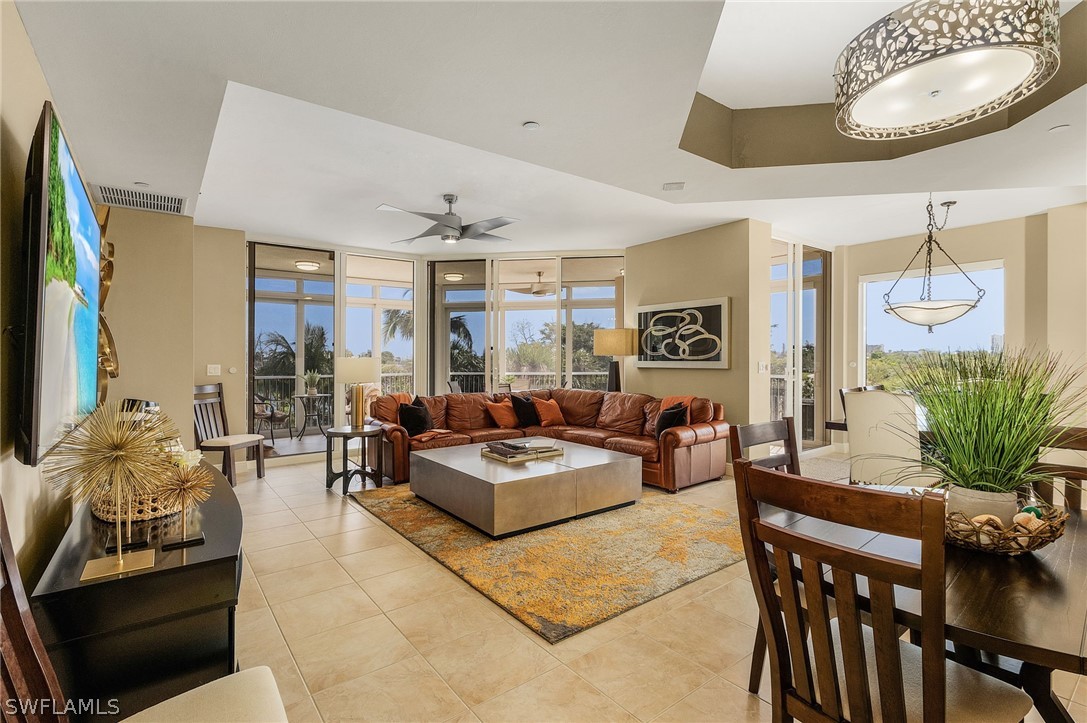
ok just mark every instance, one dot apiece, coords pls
pixel 121 453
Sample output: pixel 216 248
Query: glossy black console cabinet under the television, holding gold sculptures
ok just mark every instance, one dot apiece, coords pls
pixel 145 637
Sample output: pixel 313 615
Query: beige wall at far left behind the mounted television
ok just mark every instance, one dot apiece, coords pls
pixel 36 514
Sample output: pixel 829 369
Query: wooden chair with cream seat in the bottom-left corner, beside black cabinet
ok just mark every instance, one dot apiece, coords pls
pixel 28 675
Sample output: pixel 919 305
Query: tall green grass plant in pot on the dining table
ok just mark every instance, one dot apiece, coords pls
pixel 988 417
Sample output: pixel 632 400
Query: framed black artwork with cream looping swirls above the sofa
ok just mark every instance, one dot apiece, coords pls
pixel 685 334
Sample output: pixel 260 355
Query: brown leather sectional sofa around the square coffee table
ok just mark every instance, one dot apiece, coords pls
pixel 624 422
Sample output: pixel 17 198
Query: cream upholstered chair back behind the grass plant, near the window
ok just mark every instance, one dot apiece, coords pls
pixel 883 438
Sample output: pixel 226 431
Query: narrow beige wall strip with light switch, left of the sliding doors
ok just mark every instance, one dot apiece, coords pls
pixel 219 316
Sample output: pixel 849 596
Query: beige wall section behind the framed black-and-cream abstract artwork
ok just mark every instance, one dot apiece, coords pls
pixel 732 260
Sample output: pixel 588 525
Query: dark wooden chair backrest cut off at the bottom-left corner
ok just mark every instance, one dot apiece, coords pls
pixel 28 675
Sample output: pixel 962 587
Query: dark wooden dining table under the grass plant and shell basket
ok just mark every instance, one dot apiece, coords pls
pixel 1001 610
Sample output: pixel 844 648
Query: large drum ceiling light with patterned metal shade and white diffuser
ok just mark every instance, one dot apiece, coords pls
pixel 934 65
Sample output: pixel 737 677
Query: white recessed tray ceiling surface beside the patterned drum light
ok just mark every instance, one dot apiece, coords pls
pixel 782 53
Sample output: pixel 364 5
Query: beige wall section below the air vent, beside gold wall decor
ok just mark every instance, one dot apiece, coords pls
pixel 151 311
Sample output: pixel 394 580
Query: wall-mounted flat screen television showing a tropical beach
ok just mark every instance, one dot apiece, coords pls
pixel 63 252
